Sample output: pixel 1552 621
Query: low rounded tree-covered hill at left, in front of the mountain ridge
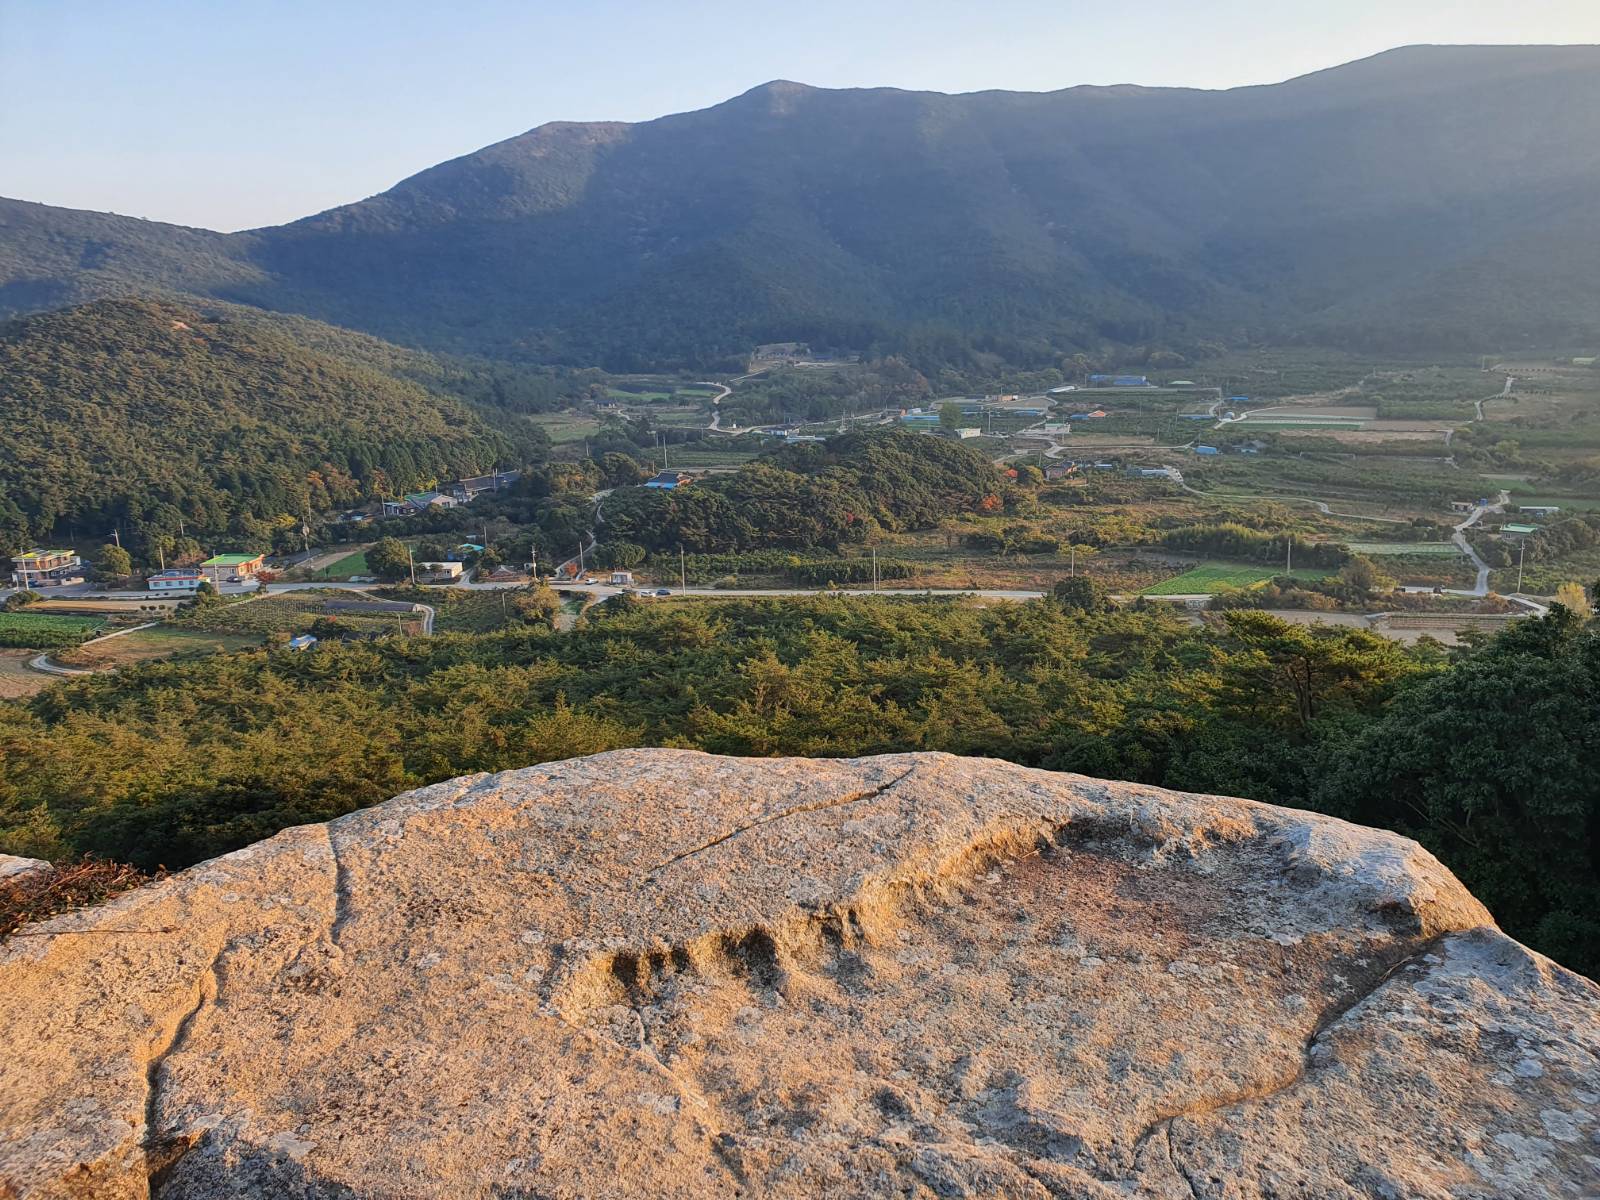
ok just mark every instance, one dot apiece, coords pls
pixel 169 422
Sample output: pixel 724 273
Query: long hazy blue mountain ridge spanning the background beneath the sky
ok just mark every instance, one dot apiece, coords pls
pixel 1430 196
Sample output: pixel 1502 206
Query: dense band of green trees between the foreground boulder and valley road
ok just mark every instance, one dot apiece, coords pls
pixel 1486 758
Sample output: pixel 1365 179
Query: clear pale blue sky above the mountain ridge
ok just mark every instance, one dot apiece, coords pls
pixel 242 113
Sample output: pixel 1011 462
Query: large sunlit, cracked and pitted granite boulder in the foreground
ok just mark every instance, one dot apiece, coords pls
pixel 660 974
